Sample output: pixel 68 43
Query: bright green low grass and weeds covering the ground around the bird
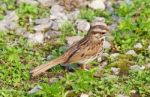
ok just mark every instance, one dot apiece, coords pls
pixel 17 57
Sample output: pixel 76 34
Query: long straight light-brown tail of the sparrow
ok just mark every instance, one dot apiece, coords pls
pixel 42 68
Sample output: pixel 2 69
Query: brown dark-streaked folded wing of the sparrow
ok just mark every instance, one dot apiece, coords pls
pixel 83 49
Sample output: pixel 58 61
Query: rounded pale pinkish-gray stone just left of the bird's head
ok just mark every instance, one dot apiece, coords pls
pixel 83 25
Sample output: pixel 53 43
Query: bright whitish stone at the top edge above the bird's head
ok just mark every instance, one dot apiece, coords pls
pixel 97 4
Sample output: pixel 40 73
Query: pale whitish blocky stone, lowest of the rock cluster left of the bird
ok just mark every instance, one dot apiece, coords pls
pixel 36 38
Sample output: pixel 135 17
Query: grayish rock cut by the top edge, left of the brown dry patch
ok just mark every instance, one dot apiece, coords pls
pixel 47 3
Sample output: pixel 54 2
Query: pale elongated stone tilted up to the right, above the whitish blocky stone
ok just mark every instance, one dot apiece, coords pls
pixel 42 27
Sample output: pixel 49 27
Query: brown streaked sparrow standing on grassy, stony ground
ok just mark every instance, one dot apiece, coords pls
pixel 82 52
